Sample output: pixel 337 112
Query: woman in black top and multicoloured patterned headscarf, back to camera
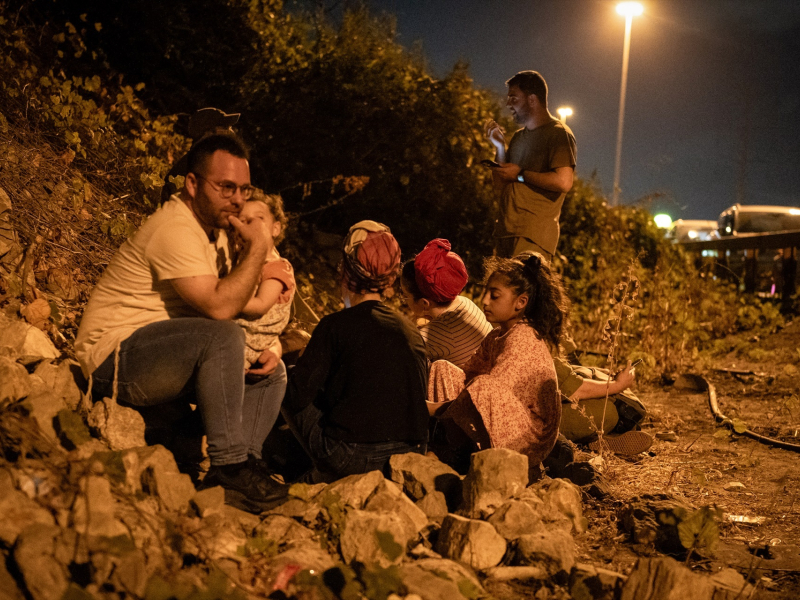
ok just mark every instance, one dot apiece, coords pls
pixel 357 394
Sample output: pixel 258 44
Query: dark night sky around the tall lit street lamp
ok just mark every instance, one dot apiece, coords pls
pixel 713 104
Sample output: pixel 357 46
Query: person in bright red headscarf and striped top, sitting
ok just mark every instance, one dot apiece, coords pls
pixel 431 284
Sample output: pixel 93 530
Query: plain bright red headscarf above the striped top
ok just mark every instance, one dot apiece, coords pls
pixel 439 273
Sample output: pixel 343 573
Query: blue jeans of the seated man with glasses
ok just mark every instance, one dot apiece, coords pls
pixel 202 361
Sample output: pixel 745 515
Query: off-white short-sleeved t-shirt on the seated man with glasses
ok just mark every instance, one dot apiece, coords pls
pixel 135 289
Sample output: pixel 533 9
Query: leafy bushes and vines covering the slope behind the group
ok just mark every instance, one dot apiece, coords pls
pixel 343 121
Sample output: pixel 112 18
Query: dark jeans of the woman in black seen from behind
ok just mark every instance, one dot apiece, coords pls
pixel 334 458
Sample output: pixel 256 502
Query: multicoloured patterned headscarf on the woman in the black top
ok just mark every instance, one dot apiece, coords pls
pixel 371 257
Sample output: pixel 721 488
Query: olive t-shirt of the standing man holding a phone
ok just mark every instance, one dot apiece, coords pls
pixel 526 210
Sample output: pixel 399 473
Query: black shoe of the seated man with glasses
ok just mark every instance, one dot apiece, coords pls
pixel 246 489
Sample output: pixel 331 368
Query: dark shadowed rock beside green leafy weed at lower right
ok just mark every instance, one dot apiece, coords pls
pixel 653 519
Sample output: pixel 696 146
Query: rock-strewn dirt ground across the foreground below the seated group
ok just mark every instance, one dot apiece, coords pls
pixel 90 511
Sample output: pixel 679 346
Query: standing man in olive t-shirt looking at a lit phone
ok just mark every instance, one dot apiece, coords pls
pixel 535 172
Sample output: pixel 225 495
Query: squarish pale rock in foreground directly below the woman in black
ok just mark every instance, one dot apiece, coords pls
pixel 373 537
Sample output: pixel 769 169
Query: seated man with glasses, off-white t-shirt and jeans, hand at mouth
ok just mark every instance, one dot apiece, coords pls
pixel 157 330
